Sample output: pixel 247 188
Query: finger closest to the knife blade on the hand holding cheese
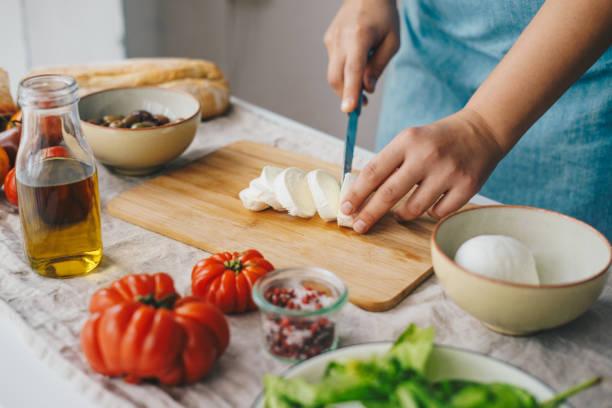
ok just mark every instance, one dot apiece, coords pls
pixel 372 175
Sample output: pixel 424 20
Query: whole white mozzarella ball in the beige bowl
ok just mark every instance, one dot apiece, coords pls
pixel 499 257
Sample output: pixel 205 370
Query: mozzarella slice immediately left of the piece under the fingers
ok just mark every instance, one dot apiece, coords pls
pixel 325 191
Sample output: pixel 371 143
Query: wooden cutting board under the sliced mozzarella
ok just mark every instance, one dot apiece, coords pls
pixel 198 204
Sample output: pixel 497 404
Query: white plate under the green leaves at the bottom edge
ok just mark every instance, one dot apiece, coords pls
pixel 445 362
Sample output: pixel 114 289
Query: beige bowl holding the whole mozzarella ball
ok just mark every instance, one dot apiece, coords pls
pixel 573 261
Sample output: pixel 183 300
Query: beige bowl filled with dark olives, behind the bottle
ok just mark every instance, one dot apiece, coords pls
pixel 145 150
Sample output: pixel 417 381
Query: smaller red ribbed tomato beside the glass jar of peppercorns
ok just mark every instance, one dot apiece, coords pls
pixel 227 278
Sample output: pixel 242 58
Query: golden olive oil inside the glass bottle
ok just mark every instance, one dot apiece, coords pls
pixel 60 217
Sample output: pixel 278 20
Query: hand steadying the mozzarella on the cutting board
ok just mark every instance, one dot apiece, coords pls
pixel 449 160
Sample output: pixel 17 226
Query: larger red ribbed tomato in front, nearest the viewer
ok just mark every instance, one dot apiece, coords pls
pixel 141 329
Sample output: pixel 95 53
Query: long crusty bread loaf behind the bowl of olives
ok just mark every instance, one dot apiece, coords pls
pixel 199 77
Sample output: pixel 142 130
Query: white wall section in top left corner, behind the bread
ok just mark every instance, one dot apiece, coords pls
pixel 49 32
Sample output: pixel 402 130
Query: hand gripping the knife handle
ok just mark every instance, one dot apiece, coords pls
pixel 360 26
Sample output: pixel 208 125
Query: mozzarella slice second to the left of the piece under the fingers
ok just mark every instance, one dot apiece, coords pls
pixel 291 189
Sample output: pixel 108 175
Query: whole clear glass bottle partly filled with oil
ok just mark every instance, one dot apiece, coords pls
pixel 57 180
